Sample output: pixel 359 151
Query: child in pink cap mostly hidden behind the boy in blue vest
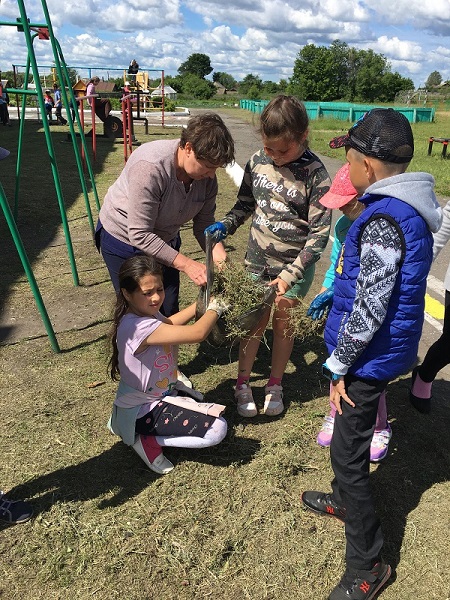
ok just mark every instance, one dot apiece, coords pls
pixel 343 196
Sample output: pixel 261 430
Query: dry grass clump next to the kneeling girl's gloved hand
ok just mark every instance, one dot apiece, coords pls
pixel 242 292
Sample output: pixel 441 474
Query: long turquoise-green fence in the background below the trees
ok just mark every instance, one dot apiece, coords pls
pixel 345 111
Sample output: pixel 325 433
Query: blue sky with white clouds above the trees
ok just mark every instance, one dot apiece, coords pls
pixel 262 37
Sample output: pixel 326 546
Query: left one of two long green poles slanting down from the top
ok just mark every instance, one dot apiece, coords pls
pixel 49 141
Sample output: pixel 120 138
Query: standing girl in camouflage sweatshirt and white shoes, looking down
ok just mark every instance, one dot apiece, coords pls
pixel 281 190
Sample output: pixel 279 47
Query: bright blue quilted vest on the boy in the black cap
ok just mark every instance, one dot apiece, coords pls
pixel 393 349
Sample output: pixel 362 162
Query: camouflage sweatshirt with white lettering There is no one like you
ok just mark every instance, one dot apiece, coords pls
pixel 290 228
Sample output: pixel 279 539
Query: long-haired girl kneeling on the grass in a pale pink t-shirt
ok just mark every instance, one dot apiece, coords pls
pixel 152 408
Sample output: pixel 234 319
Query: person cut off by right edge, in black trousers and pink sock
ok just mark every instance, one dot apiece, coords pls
pixel 438 355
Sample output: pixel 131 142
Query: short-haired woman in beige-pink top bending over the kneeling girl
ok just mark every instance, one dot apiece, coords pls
pixel 164 185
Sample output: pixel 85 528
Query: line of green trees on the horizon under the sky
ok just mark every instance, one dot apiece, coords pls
pixel 336 72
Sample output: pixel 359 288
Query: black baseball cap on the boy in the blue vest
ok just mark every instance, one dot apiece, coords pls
pixel 383 133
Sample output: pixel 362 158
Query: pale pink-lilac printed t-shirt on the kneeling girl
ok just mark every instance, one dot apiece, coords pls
pixel 153 371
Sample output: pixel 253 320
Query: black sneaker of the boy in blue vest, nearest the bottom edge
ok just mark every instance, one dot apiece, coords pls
pixel 361 585
